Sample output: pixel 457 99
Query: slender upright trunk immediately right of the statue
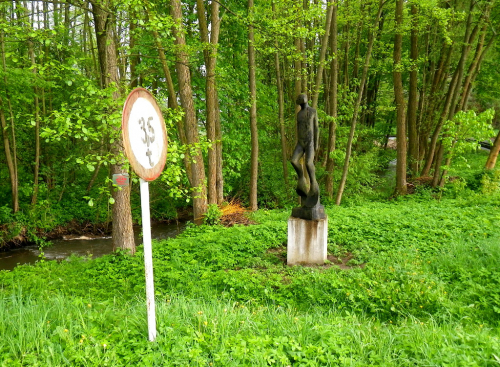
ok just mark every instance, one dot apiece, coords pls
pixel 333 104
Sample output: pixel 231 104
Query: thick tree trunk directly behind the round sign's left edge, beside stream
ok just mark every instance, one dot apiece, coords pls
pixel 123 234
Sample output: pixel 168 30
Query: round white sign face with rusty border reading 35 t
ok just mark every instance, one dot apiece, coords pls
pixel 144 134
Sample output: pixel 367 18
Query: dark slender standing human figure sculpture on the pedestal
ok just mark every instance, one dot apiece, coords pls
pixel 307 144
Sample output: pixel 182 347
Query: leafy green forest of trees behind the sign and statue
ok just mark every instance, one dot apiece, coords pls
pixel 226 75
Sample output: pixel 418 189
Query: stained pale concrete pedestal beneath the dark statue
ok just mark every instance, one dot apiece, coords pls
pixel 306 241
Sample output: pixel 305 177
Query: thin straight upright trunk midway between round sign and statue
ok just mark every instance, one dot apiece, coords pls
pixel 253 112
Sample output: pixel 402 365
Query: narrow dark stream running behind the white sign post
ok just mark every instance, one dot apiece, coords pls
pixel 62 249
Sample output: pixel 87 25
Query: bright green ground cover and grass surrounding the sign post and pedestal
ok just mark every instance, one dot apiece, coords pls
pixel 422 287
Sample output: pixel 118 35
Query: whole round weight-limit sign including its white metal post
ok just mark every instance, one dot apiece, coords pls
pixel 145 143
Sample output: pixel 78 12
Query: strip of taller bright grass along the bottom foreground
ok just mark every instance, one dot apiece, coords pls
pixel 60 331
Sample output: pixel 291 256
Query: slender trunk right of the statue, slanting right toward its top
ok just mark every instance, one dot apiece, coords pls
pixel 354 119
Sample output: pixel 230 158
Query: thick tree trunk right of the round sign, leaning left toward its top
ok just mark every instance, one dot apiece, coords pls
pixel 198 183
